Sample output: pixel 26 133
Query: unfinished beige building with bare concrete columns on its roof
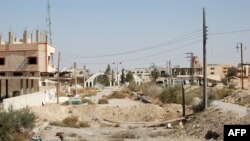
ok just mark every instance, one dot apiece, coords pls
pixel 24 62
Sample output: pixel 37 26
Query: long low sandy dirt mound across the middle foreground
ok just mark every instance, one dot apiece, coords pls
pixel 94 113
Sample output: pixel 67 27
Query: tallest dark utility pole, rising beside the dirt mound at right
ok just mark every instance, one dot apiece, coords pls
pixel 204 61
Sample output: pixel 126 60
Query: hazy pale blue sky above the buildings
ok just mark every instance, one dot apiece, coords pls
pixel 134 33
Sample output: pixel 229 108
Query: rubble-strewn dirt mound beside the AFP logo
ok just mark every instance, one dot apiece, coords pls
pixel 213 120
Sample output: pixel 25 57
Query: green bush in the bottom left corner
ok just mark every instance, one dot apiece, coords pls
pixel 14 124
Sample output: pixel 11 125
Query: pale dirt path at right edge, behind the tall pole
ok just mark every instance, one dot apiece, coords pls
pixel 231 107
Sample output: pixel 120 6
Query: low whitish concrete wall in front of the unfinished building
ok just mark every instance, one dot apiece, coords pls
pixel 34 99
